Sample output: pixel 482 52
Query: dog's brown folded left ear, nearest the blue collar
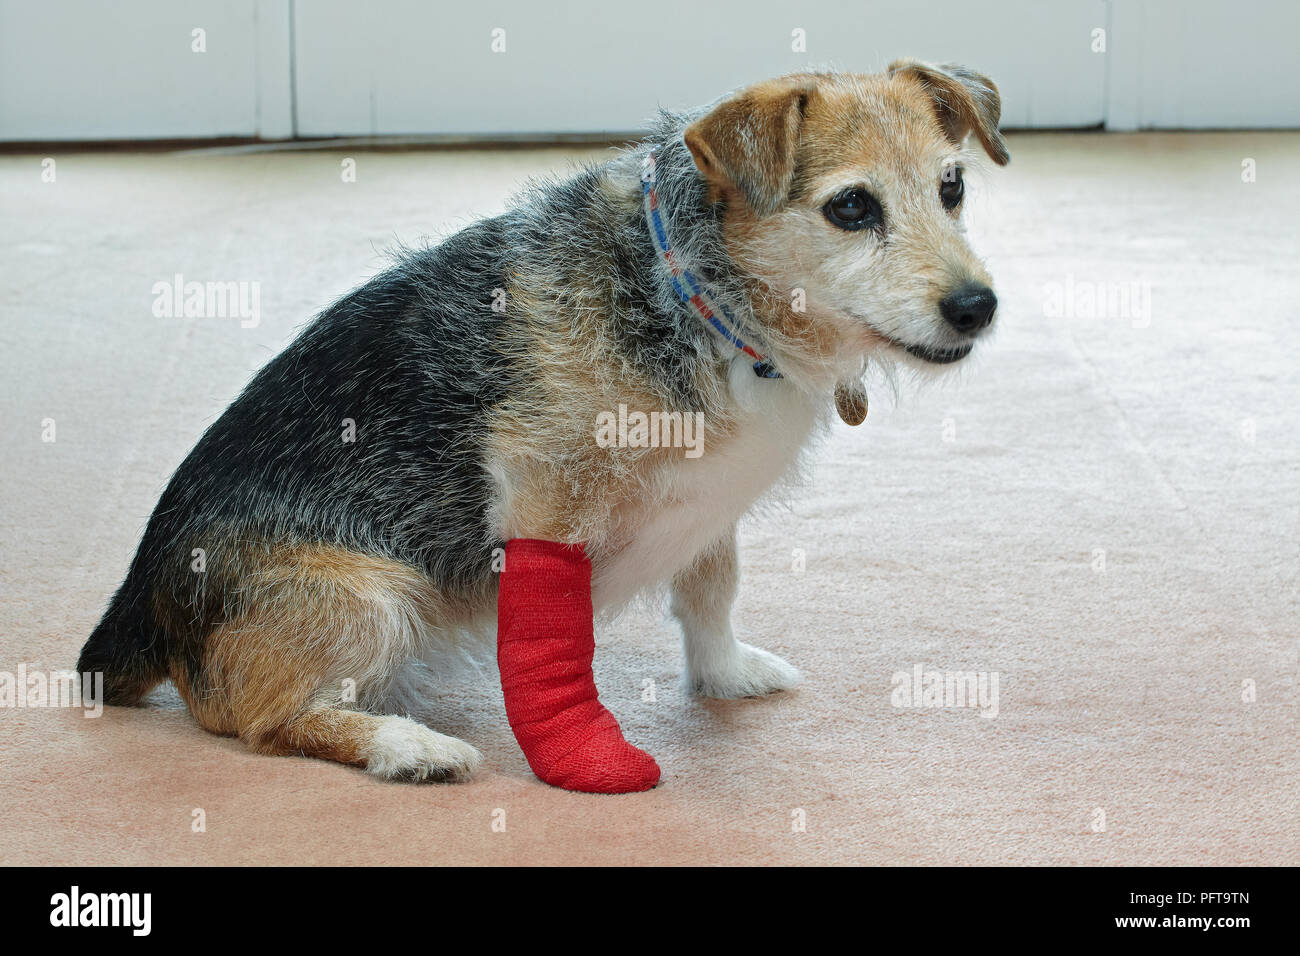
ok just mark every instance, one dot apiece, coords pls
pixel 747 144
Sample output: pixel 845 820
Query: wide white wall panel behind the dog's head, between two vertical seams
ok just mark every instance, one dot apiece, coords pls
pixel 580 66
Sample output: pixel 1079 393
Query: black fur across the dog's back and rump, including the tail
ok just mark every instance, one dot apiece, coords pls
pixel 362 436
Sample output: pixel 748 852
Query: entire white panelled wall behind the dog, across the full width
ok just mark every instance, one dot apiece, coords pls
pixel 83 70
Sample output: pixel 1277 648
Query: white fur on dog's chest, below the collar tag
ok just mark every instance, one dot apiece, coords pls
pixel 697 500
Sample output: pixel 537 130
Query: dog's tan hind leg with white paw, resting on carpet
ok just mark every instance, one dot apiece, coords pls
pixel 322 633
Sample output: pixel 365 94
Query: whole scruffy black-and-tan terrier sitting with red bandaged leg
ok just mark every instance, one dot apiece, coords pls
pixel 743 267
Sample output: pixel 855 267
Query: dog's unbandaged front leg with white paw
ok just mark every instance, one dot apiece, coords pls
pixel 717 664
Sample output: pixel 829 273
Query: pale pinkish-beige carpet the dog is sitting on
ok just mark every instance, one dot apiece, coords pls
pixel 1102 511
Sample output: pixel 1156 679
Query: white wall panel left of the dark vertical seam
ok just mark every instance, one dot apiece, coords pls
pixel 88 70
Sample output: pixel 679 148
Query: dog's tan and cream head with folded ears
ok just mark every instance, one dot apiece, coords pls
pixel 844 197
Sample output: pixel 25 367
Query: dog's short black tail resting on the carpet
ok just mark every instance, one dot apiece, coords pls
pixel 128 648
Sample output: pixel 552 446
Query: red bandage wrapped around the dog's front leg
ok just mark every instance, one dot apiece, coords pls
pixel 545 643
